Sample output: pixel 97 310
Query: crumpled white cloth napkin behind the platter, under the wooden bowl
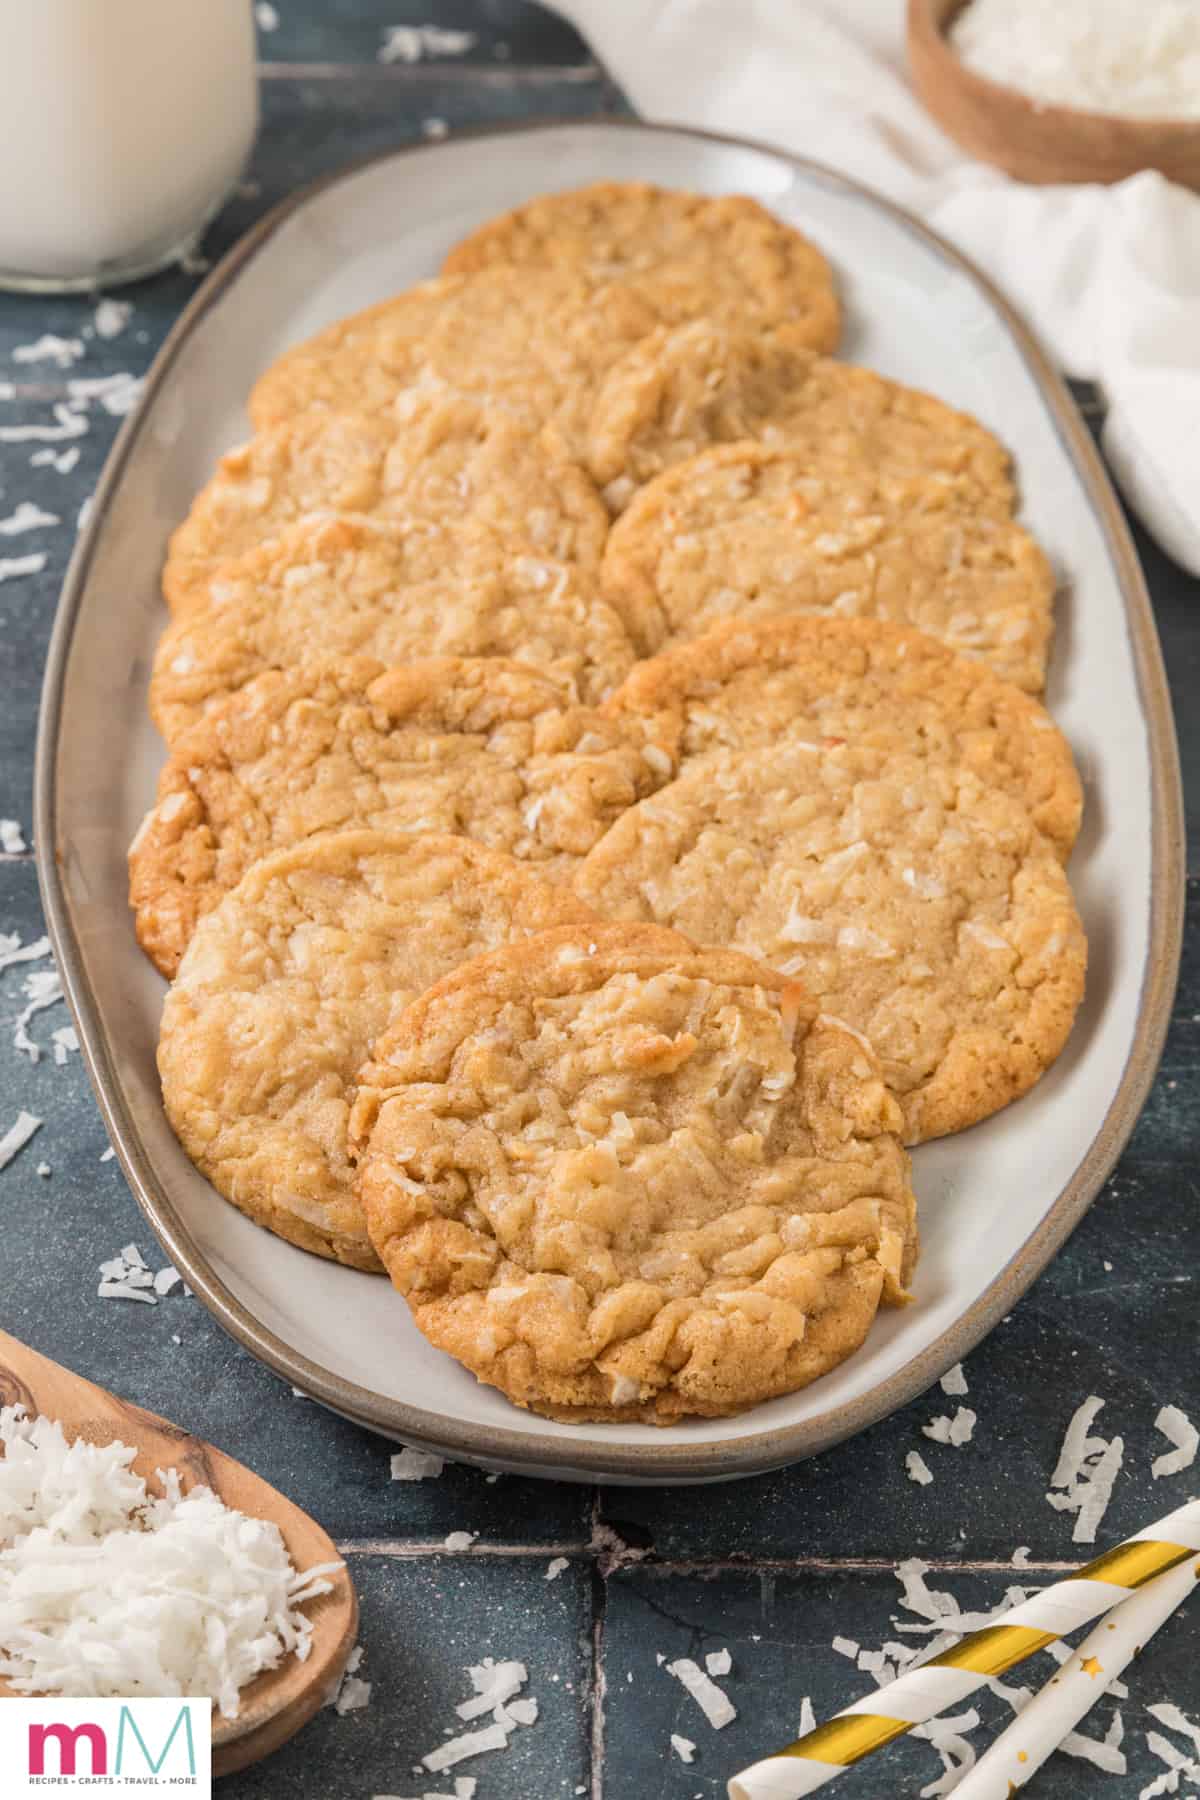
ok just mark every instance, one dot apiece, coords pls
pixel 1109 276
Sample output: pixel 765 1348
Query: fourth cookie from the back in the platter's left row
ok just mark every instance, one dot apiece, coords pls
pixel 483 750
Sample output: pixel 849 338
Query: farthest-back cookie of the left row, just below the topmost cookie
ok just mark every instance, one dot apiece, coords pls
pixel 535 343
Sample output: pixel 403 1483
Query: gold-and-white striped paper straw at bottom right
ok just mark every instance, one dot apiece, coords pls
pixel 944 1682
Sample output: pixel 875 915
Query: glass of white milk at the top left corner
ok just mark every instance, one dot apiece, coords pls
pixel 123 129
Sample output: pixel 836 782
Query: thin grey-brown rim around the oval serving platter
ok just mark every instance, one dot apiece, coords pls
pixel 602 1459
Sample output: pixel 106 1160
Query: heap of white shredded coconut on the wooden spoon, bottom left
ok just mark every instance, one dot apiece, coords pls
pixel 107 1588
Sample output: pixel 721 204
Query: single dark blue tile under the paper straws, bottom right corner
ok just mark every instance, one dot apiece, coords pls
pixel 780 1630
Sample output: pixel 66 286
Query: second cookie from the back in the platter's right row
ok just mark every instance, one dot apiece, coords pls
pixel 749 530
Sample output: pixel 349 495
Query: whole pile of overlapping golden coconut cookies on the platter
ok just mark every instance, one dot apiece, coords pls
pixel 607 811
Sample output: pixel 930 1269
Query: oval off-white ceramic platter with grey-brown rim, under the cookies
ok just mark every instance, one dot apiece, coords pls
pixel 996 1201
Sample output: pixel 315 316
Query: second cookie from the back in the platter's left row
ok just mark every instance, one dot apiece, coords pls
pixel 467 481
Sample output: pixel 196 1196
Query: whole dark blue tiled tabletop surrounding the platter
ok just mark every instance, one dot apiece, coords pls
pixel 773 1569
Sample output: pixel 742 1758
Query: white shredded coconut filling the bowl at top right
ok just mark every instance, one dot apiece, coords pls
pixel 1095 55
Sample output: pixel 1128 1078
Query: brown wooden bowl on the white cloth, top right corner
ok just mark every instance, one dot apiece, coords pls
pixel 1030 139
